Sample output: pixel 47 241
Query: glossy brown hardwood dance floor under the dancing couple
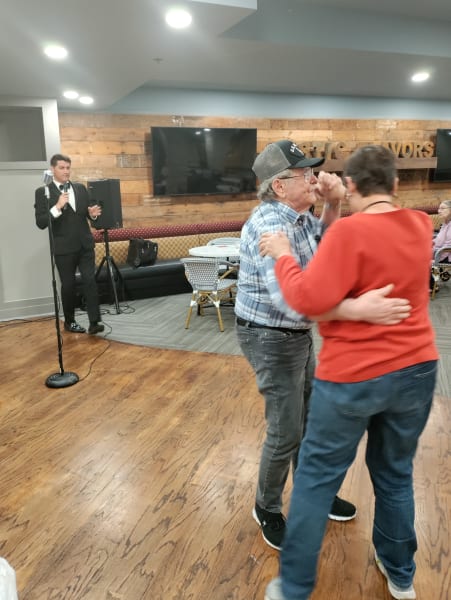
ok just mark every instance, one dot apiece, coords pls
pixel 137 483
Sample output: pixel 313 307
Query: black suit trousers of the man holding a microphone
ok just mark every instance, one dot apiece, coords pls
pixel 67 266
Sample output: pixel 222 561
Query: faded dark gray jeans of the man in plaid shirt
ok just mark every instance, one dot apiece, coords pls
pixel 283 364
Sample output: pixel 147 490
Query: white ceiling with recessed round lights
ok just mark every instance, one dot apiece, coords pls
pixel 331 47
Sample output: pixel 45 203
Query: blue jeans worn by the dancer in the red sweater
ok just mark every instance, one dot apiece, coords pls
pixel 393 409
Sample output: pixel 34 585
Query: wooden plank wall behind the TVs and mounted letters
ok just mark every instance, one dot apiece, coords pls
pixel 118 146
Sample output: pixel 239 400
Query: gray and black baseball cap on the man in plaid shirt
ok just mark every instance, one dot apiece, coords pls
pixel 278 156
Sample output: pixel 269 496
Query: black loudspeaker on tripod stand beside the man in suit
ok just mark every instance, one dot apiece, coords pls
pixel 107 194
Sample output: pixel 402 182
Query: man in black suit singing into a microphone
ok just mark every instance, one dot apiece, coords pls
pixel 73 241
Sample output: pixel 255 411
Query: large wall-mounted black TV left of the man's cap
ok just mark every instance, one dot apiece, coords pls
pixel 195 160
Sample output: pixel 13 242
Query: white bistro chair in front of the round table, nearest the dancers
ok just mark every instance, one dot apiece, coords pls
pixel 208 286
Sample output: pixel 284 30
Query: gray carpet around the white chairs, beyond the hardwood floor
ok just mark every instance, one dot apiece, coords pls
pixel 160 323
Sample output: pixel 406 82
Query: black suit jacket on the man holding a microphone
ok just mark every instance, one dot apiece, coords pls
pixel 71 231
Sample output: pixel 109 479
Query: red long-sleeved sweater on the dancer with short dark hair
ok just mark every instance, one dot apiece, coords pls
pixel 357 254
